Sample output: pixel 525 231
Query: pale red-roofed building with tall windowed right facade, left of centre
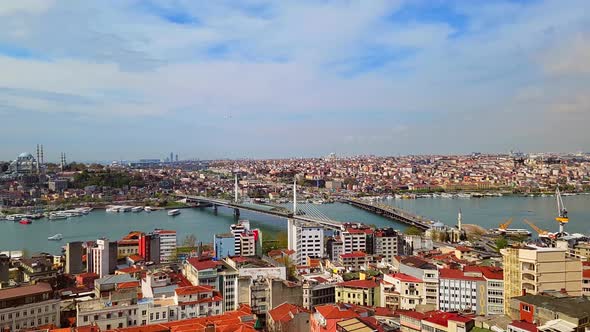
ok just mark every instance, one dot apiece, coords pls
pixel 219 274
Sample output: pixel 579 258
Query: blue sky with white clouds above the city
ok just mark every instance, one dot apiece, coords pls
pixel 110 80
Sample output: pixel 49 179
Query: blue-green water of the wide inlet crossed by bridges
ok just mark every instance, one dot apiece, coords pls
pixel 203 223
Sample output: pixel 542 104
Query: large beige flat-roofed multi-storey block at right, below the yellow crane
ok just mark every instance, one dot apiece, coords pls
pixel 534 270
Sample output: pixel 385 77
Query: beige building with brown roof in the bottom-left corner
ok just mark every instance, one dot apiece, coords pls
pixel 27 307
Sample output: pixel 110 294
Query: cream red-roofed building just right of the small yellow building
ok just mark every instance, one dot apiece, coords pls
pixel 410 289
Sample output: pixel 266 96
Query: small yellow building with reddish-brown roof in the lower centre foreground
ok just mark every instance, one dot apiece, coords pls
pixel 359 292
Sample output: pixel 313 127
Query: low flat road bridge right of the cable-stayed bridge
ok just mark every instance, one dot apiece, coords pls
pixel 391 212
